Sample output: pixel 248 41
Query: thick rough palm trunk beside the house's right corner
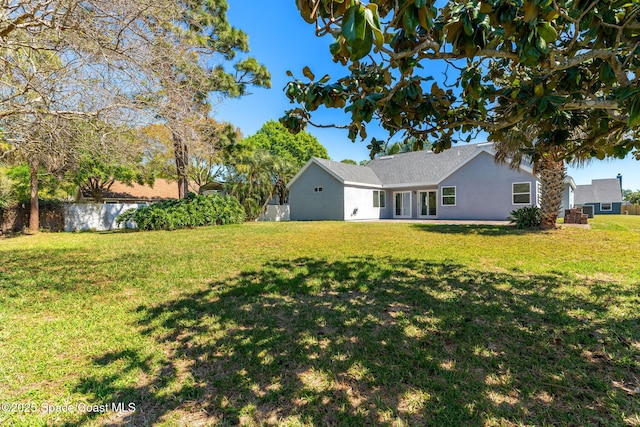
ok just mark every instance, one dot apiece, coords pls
pixel 552 175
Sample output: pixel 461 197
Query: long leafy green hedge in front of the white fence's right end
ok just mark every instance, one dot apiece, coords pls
pixel 193 211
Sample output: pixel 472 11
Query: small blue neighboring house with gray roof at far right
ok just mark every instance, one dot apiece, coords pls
pixel 603 196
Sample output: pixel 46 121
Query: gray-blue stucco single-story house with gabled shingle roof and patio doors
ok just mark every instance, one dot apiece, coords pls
pixel 463 182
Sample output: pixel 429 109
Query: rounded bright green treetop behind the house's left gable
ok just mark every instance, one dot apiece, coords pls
pixel 296 149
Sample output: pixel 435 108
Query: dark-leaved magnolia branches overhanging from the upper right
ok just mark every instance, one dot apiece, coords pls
pixel 561 65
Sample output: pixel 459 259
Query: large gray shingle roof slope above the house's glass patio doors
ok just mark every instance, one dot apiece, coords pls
pixel 423 167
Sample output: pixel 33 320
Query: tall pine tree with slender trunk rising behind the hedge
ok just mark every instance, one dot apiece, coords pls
pixel 188 71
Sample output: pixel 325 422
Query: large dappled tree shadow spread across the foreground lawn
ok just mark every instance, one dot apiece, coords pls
pixel 377 341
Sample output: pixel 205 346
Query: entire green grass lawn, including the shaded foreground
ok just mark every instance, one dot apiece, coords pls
pixel 323 324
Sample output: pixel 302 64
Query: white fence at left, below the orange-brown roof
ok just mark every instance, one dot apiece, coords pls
pixel 91 216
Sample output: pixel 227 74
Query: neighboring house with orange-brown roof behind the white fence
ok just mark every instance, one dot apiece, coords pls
pixel 119 192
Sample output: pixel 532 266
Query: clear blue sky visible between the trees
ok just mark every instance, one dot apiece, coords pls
pixel 281 40
